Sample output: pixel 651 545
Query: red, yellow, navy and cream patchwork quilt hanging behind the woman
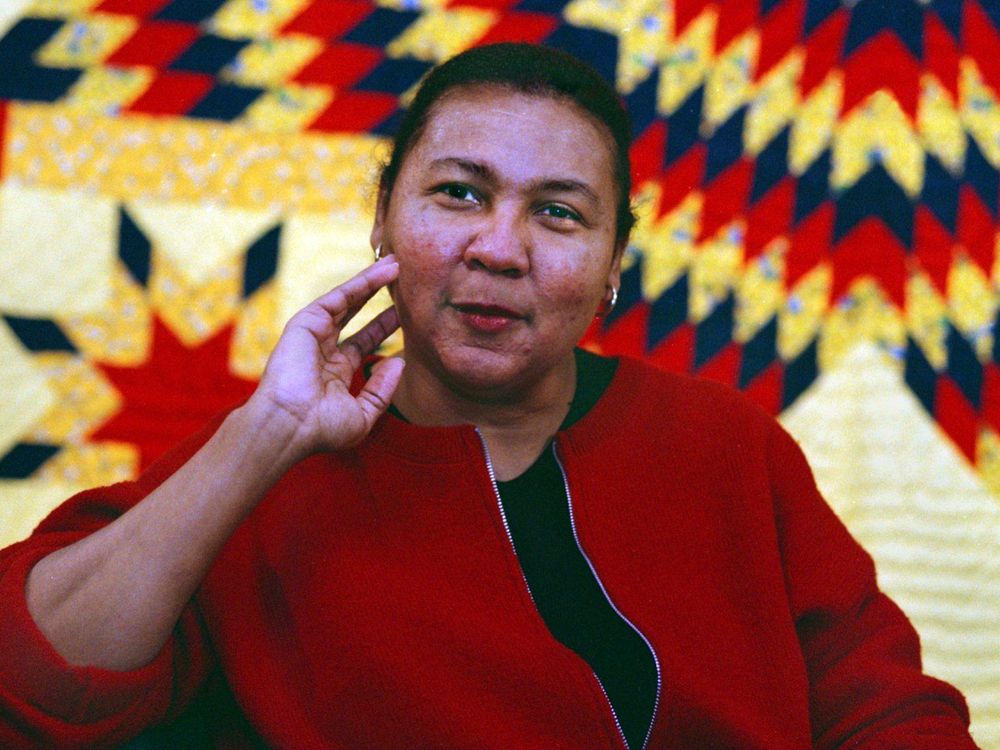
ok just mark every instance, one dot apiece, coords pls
pixel 819 187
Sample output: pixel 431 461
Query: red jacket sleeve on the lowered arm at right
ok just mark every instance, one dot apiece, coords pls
pixel 867 689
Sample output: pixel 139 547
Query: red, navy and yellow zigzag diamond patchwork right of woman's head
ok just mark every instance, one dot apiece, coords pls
pixel 874 193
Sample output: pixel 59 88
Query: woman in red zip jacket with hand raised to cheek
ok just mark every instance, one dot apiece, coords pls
pixel 537 548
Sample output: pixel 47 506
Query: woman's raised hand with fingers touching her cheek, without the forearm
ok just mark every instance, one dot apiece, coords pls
pixel 306 381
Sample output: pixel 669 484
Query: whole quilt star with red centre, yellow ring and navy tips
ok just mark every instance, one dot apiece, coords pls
pixel 162 357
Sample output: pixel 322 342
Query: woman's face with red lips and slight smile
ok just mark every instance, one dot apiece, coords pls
pixel 502 219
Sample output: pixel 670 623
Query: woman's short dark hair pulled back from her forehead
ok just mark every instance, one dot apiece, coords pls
pixel 530 69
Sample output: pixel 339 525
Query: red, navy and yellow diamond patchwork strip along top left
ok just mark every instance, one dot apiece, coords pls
pixel 327 64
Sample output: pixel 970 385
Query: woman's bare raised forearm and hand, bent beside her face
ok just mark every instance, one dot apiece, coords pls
pixel 111 599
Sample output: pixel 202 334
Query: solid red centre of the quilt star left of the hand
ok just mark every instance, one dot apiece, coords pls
pixel 173 393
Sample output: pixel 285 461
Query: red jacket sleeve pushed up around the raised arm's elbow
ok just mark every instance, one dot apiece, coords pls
pixel 47 703
